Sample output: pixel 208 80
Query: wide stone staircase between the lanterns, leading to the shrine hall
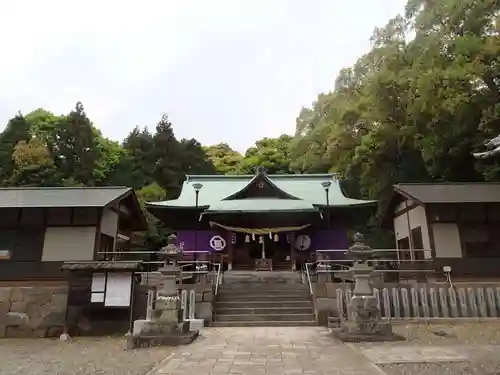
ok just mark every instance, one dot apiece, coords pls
pixel 249 298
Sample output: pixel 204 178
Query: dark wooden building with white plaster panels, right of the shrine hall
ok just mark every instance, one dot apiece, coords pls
pixel 457 223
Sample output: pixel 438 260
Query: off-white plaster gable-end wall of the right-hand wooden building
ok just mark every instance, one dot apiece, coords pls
pixel 416 217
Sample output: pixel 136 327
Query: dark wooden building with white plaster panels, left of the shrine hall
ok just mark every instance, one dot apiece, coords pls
pixel 41 227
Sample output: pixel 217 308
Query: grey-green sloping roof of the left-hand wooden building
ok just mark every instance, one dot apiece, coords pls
pixel 27 197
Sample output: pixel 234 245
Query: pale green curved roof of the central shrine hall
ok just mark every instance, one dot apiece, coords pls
pixel 306 188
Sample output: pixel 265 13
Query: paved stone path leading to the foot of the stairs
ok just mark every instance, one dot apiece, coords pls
pixel 267 351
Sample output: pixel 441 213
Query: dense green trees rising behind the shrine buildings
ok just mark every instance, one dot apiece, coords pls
pixel 412 109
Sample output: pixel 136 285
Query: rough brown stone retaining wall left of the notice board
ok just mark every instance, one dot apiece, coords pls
pixel 32 311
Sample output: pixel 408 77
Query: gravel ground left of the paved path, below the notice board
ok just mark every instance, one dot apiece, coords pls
pixel 82 356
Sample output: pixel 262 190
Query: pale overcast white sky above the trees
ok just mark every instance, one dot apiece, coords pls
pixel 230 71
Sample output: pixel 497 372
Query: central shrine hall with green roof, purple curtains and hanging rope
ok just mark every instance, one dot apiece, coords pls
pixel 261 221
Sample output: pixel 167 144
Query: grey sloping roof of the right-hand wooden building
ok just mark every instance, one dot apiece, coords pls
pixel 451 192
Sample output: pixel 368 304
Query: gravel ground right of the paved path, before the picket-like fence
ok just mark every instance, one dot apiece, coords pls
pixel 470 335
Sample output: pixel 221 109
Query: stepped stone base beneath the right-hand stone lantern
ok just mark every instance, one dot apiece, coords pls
pixel 375 332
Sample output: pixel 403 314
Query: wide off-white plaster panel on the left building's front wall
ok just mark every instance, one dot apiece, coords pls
pixel 68 243
